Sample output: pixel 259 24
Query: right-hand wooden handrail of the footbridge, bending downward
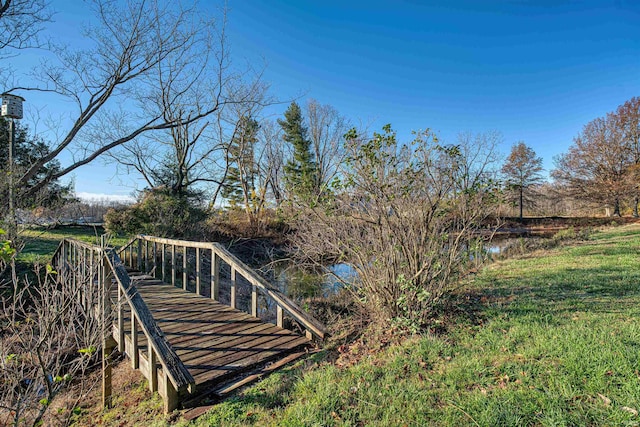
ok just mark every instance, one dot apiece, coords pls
pixel 312 326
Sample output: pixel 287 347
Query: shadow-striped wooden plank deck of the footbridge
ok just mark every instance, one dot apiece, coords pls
pixel 214 341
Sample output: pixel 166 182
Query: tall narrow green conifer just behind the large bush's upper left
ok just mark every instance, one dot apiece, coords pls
pixel 301 171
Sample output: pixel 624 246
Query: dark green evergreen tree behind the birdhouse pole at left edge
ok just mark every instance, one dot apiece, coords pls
pixel 27 151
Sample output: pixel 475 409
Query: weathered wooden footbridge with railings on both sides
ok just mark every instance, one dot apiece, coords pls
pixel 192 317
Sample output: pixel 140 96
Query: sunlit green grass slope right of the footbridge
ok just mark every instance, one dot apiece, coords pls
pixel 554 341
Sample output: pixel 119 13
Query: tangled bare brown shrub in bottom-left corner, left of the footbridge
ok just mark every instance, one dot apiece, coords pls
pixel 49 337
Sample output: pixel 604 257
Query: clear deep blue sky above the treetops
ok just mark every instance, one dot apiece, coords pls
pixel 536 71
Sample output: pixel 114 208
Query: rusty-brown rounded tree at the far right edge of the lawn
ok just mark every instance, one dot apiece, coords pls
pixel 597 166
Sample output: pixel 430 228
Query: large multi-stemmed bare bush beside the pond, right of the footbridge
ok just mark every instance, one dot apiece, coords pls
pixel 405 218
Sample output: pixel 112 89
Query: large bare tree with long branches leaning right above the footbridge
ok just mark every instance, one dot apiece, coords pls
pixel 120 84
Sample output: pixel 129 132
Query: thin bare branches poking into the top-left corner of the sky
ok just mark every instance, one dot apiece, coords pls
pixel 20 23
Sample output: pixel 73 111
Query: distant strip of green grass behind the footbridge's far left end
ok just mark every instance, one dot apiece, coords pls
pixel 41 242
